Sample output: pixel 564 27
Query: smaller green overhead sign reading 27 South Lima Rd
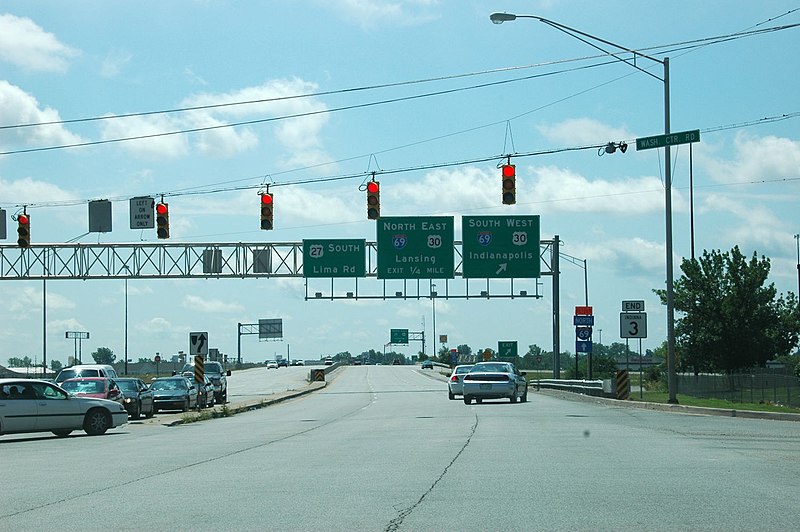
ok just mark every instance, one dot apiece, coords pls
pixel 334 258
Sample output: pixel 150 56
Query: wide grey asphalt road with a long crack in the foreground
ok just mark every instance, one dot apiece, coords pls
pixel 382 448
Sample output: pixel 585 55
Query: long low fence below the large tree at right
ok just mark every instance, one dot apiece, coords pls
pixel 760 386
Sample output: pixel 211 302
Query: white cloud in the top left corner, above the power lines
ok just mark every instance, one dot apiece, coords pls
pixel 24 43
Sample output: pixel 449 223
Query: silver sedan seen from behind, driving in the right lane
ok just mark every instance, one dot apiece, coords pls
pixel 494 380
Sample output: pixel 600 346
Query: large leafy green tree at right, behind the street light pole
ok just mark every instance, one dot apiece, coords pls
pixel 731 319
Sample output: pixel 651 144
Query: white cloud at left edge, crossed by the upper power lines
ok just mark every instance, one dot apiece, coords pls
pixel 19 107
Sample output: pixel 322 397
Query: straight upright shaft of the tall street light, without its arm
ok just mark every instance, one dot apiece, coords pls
pixel 672 379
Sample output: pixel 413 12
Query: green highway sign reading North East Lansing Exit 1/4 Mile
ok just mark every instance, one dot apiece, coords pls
pixel 415 247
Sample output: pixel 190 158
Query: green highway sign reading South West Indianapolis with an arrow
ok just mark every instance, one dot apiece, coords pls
pixel 500 246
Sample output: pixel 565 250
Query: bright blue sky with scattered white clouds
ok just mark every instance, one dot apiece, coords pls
pixel 480 92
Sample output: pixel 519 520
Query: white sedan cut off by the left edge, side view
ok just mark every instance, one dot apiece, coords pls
pixel 30 405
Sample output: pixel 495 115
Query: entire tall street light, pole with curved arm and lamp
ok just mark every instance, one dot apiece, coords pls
pixel 499 18
